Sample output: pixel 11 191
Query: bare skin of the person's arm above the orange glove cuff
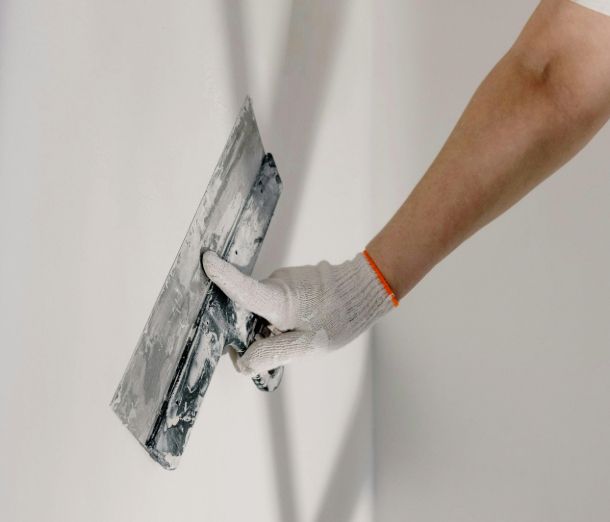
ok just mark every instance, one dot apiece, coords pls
pixel 536 109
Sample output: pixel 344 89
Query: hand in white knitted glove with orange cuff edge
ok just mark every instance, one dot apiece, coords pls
pixel 318 307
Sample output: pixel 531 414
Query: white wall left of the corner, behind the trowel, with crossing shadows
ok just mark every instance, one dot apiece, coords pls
pixel 112 116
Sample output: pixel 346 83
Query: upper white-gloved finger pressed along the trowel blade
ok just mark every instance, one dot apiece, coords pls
pixel 266 300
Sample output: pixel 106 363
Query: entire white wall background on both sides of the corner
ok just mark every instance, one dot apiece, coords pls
pixel 491 379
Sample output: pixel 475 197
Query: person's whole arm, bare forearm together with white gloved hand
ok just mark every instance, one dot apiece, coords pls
pixel 541 103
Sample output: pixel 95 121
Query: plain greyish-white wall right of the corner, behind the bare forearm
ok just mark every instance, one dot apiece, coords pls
pixel 491 380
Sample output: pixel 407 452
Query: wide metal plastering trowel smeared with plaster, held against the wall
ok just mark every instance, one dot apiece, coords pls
pixel 192 322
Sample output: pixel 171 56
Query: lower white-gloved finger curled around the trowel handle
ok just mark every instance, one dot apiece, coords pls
pixel 271 352
